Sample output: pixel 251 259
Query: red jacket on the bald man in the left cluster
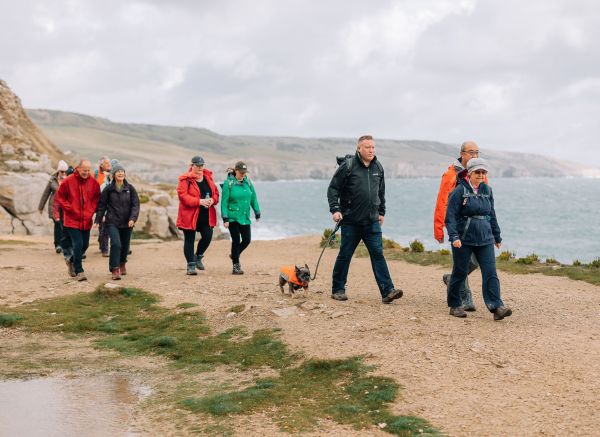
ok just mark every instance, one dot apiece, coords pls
pixel 78 198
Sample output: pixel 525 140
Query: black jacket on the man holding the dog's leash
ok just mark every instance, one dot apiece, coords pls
pixel 359 194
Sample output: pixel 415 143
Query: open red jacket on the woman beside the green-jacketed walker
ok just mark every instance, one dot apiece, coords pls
pixel 189 200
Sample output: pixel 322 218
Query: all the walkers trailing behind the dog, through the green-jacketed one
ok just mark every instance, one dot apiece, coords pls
pixel 79 200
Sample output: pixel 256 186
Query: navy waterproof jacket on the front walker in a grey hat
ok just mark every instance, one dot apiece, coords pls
pixel 470 217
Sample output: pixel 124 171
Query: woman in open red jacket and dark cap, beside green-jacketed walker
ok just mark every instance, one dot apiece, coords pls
pixel 198 196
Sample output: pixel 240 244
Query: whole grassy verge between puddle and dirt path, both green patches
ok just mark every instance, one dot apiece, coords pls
pixel 302 393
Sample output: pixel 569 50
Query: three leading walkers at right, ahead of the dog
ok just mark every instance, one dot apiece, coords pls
pixel 465 206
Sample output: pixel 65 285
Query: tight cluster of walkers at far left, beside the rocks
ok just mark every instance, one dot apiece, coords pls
pixel 79 201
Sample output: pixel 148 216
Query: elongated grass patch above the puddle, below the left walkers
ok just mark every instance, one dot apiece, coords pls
pixel 128 320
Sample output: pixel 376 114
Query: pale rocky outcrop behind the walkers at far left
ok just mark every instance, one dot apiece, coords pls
pixel 27 160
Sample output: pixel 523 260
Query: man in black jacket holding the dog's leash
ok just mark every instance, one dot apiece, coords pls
pixel 356 196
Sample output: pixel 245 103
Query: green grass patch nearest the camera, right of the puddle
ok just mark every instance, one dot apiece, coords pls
pixel 341 390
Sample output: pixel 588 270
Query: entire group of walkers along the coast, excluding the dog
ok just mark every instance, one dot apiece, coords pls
pixel 356 196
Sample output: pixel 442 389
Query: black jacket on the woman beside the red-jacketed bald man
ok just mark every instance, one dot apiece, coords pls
pixel 119 207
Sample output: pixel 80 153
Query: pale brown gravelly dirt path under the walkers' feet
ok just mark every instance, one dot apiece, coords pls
pixel 535 373
